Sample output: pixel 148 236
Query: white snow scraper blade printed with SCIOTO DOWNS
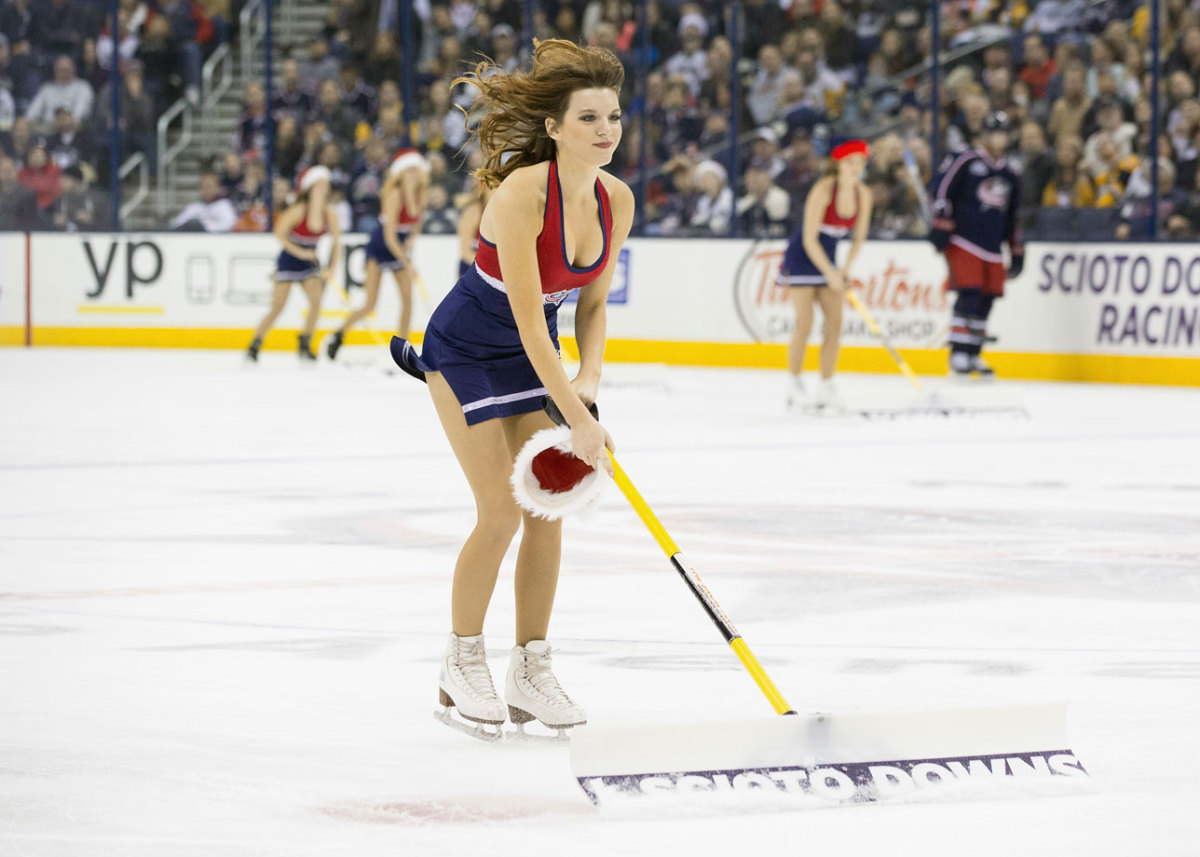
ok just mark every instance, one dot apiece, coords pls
pixel 835 758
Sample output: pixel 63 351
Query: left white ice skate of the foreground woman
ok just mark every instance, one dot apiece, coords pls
pixel 465 684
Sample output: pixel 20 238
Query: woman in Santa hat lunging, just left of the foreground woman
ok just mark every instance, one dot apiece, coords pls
pixel 391 248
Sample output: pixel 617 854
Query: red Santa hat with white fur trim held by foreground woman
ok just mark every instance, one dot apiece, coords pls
pixel 550 482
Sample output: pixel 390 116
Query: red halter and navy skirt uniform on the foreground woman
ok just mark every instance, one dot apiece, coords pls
pixel 473 340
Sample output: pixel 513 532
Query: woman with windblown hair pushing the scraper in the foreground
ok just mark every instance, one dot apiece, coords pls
pixel 555 225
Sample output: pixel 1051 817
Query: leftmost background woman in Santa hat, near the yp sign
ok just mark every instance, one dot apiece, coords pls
pixel 299 227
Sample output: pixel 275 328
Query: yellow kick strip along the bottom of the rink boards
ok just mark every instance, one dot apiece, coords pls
pixel 1109 369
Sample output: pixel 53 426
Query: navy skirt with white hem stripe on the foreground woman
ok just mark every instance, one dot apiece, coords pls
pixel 473 341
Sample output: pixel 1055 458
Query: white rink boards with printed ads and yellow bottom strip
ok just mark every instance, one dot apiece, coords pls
pixel 1079 313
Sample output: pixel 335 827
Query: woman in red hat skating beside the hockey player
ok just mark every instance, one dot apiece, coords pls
pixel 838 206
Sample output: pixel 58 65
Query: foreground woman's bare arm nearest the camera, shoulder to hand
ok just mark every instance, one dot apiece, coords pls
pixel 517 219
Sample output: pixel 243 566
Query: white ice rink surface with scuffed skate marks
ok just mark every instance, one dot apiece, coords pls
pixel 224 594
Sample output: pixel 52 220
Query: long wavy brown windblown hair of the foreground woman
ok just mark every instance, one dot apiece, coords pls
pixel 513 107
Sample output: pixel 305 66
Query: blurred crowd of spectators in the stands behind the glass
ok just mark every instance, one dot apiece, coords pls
pixel 1073 77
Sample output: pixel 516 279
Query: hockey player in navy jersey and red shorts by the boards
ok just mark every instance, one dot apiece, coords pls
pixel 975 212
